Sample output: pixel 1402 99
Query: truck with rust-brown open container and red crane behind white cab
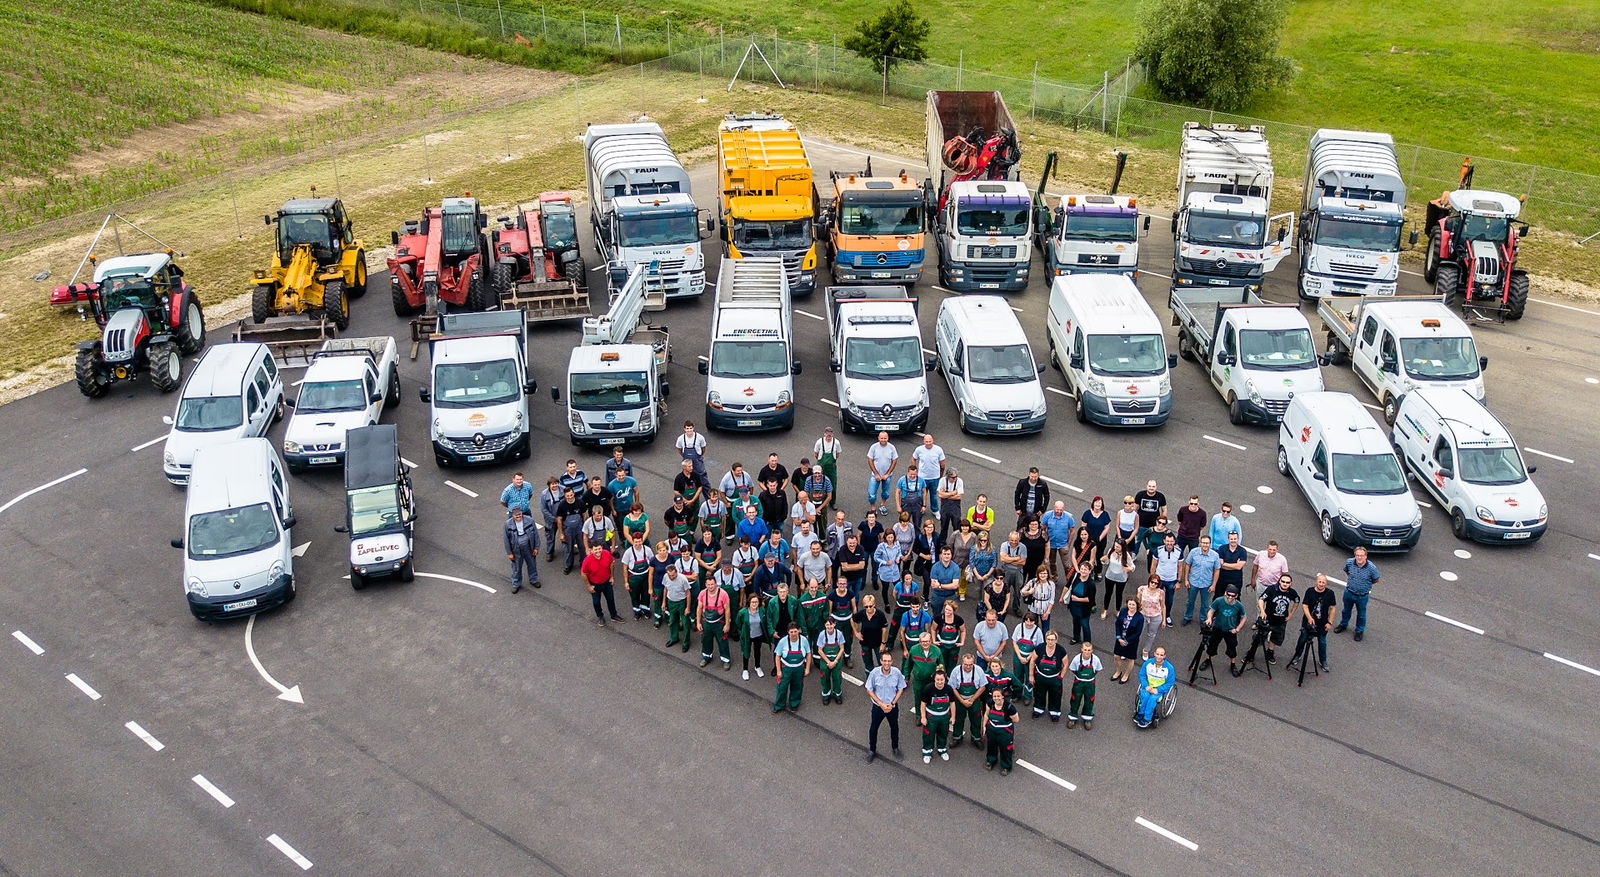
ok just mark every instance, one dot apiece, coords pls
pixel 982 212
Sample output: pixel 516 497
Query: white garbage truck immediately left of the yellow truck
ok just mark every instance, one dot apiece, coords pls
pixel 642 209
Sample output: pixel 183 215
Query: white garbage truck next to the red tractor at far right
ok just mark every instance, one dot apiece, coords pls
pixel 1351 217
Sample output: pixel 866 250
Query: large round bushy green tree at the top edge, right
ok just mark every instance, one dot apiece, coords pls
pixel 1214 54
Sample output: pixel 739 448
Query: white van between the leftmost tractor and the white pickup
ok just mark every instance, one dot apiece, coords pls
pixel 236 393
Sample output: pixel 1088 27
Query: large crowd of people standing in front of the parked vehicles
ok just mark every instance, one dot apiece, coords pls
pixel 772 561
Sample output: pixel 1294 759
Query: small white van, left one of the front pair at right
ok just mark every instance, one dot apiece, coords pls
pixel 1343 463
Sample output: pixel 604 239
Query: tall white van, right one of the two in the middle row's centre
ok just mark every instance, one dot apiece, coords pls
pixel 1110 346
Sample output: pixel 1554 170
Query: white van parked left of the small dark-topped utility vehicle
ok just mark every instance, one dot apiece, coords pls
pixel 238 523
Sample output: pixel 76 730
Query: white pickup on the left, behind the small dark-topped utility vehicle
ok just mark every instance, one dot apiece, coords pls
pixel 348 385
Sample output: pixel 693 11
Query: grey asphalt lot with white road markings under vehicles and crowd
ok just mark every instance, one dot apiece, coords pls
pixel 450 727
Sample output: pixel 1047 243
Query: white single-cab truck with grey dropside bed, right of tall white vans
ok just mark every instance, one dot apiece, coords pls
pixel 1255 354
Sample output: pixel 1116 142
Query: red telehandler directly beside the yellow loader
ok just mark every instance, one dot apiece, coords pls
pixel 442 262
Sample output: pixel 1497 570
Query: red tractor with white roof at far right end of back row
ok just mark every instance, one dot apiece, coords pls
pixel 1473 252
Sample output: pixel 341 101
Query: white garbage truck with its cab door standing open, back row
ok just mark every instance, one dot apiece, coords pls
pixel 1222 233
